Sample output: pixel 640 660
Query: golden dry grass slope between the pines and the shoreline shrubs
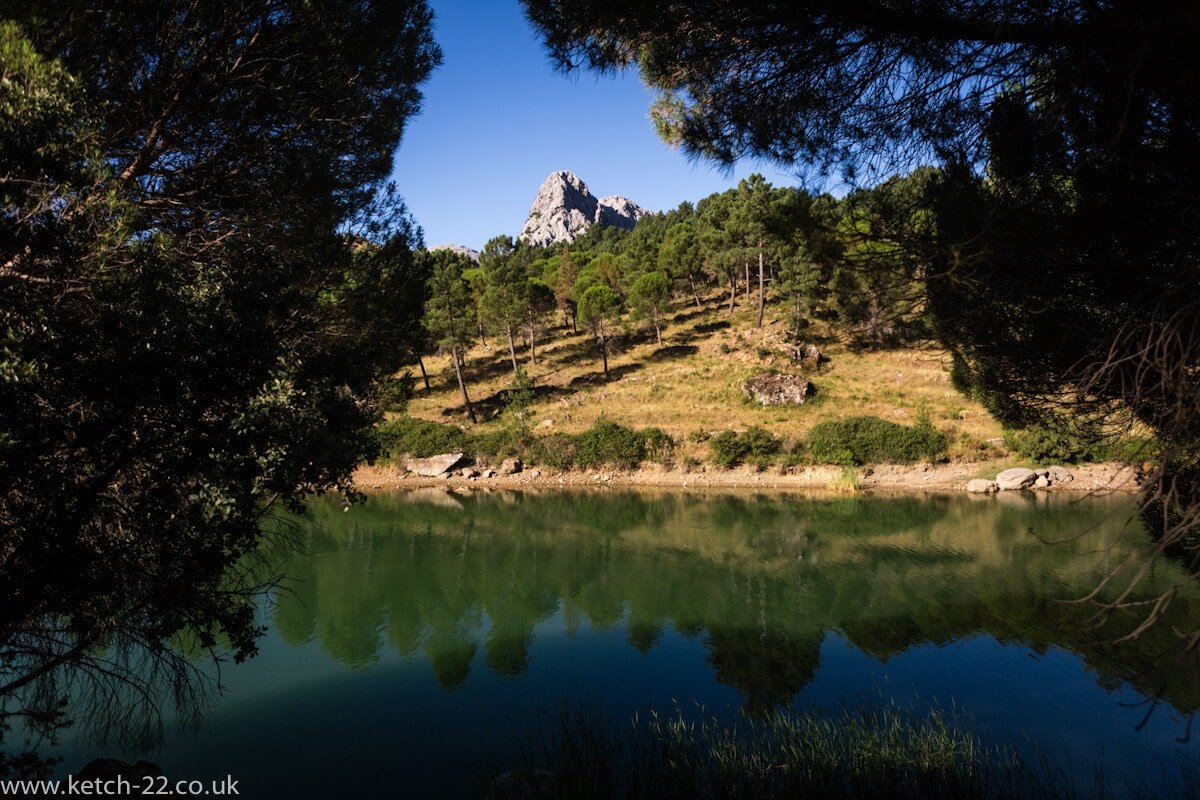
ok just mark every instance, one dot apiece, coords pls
pixel 691 388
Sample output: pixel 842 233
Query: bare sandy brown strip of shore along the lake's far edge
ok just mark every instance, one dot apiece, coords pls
pixel 884 479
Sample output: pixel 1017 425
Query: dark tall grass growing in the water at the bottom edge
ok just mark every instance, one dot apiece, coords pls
pixel 866 754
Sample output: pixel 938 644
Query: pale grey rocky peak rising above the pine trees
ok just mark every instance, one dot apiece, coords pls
pixel 565 209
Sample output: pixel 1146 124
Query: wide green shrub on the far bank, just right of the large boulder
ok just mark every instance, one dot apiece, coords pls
pixel 859 441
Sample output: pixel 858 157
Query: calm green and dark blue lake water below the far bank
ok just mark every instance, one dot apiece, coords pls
pixel 418 637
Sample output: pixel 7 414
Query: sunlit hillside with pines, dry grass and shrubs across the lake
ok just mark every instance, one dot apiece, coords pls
pixel 653 333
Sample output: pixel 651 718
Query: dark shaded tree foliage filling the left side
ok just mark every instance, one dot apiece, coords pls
pixel 203 284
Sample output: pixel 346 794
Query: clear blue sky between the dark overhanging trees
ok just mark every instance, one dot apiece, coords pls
pixel 497 119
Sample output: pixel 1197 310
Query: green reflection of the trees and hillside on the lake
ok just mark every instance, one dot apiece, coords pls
pixel 759 581
